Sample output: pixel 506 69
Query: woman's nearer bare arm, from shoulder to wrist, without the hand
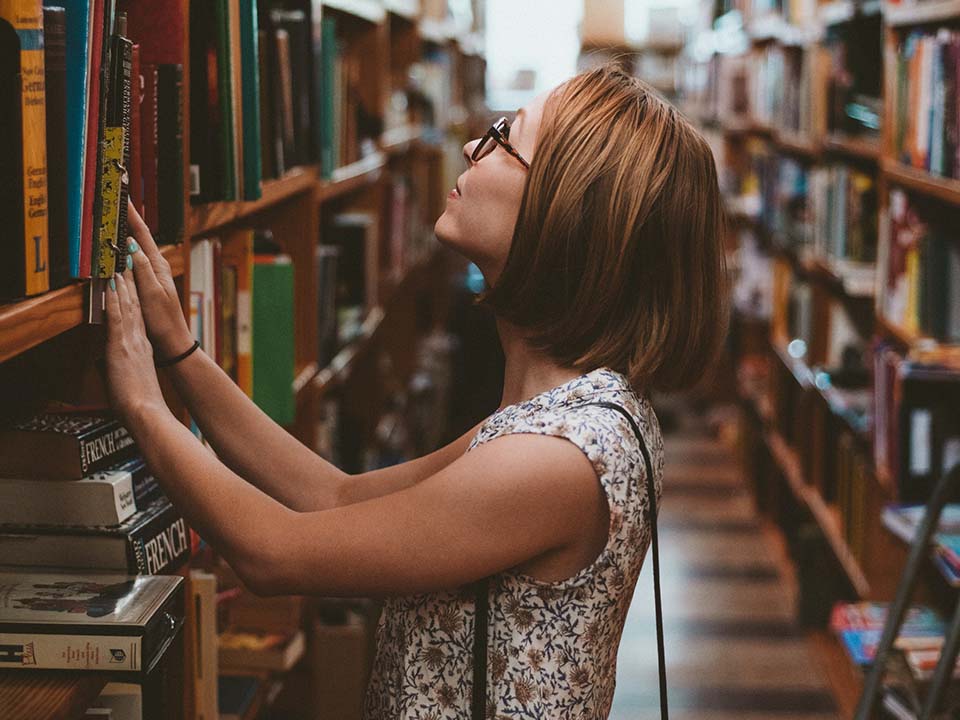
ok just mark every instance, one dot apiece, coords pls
pixel 508 501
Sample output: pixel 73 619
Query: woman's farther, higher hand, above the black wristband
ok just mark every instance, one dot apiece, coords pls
pixel 162 314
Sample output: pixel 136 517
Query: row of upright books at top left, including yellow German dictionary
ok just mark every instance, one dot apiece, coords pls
pixel 103 124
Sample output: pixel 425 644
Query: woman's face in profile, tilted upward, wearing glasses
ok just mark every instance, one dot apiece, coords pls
pixel 482 210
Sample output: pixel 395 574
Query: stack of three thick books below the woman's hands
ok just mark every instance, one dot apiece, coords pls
pixel 75 494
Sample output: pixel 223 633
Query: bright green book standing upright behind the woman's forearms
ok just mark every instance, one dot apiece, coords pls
pixel 273 359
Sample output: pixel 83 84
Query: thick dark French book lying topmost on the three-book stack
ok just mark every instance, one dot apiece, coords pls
pixel 62 447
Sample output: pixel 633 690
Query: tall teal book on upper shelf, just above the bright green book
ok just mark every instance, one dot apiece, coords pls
pixel 250 83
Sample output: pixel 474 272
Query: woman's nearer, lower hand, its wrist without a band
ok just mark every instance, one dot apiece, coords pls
pixel 132 384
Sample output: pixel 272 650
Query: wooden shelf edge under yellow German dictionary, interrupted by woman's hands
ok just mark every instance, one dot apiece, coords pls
pixel 24 324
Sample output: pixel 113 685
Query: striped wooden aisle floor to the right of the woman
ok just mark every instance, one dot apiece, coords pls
pixel 733 651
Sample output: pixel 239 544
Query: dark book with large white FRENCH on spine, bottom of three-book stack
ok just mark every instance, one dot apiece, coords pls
pixel 152 541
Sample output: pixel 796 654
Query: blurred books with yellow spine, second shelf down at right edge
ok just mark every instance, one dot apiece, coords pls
pixel 920 285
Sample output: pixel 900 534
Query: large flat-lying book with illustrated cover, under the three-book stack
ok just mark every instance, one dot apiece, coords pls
pixel 106 623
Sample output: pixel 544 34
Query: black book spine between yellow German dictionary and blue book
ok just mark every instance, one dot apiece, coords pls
pixel 55 78
